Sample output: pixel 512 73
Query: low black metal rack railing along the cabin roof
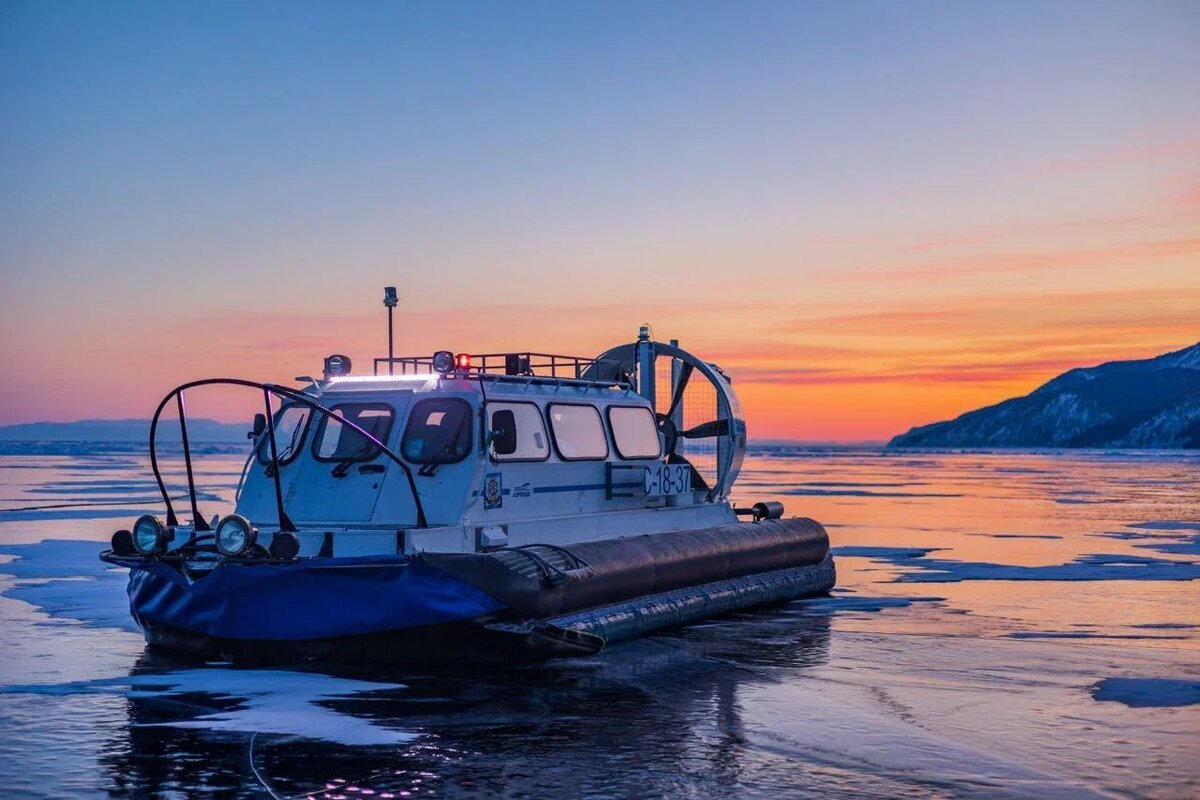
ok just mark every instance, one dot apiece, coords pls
pixel 518 365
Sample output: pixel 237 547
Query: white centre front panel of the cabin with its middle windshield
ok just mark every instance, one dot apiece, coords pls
pixel 344 473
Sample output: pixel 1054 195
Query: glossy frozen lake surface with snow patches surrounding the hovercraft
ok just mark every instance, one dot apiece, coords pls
pixel 1005 625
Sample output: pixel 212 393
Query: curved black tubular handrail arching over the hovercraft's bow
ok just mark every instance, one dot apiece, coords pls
pixel 283 393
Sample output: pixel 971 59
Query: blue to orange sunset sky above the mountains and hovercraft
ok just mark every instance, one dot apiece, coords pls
pixel 874 215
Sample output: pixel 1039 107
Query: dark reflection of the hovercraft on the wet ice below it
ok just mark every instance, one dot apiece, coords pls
pixel 658 717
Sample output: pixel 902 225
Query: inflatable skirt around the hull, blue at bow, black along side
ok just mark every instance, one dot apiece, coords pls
pixel 519 604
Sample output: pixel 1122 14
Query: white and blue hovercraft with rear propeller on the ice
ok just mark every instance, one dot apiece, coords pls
pixel 471 508
